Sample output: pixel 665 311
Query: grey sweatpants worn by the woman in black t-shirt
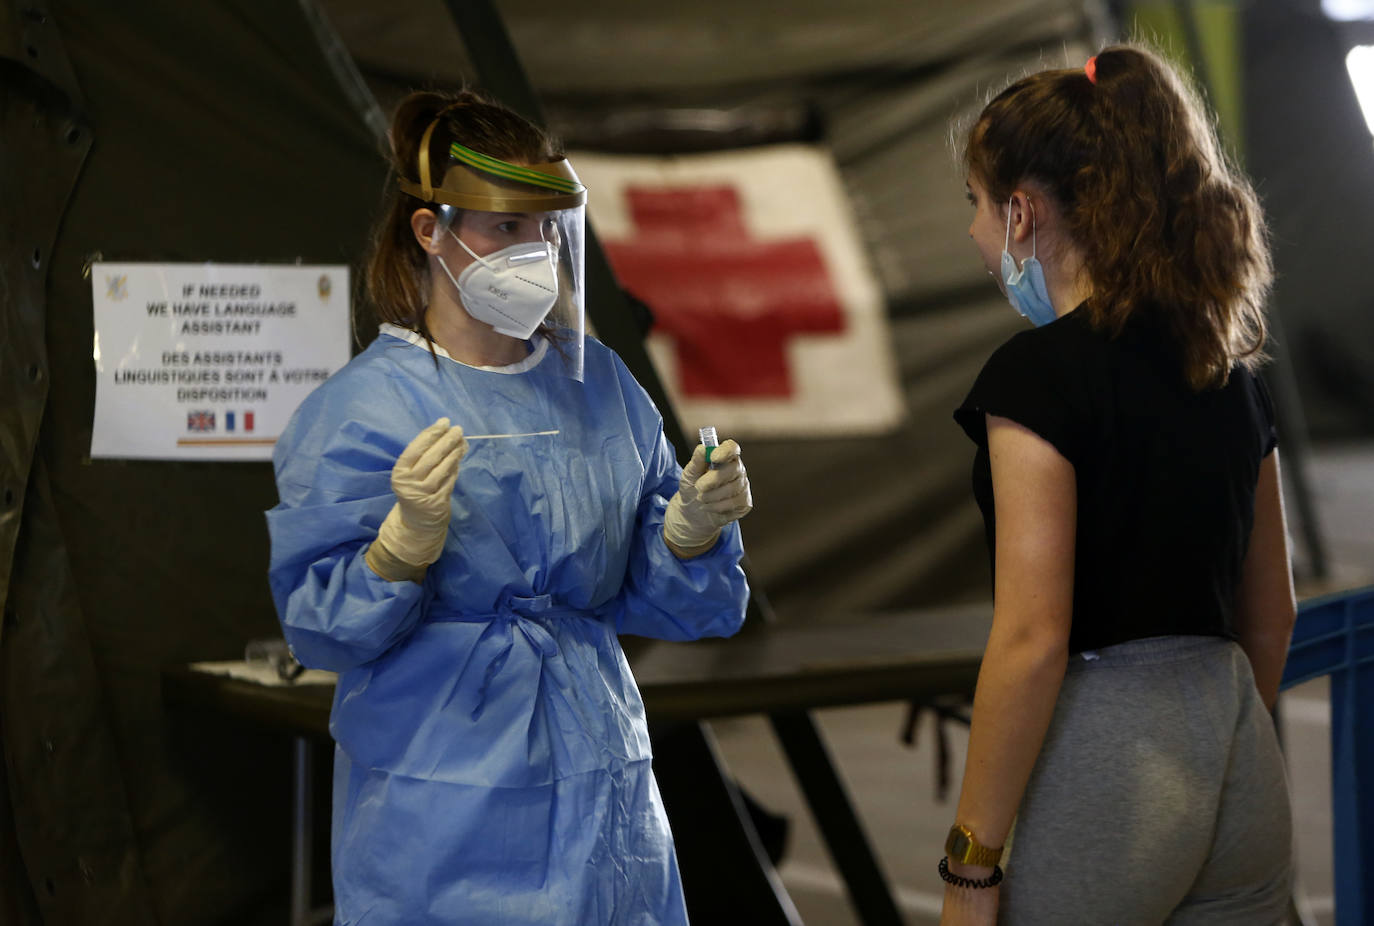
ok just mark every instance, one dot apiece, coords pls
pixel 1159 796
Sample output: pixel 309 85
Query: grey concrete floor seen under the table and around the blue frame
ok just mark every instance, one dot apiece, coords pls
pixel 894 787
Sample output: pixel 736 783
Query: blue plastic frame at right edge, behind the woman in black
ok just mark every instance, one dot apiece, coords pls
pixel 1335 635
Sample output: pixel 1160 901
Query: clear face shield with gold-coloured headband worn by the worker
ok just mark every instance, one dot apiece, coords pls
pixel 519 233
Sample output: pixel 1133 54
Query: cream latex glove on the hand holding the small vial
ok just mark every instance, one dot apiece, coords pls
pixel 708 499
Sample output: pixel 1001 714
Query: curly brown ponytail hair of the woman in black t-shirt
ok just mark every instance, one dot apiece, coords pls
pixel 1166 225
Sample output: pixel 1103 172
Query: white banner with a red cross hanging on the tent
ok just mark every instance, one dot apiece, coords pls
pixel 769 319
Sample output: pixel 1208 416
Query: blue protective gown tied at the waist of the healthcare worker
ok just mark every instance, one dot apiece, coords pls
pixel 494 760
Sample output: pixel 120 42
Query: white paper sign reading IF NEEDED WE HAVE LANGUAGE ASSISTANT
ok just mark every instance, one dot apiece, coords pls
pixel 207 362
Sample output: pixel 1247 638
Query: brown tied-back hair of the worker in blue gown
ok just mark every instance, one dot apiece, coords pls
pixel 398 269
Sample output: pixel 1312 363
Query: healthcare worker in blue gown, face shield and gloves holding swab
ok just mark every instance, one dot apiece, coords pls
pixel 471 512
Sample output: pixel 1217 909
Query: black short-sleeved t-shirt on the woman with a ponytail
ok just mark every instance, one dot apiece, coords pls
pixel 1166 476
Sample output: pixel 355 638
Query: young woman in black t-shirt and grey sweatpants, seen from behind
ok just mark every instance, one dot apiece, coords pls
pixel 1129 479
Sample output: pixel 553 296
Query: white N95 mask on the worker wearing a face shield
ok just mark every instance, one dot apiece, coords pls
pixel 513 289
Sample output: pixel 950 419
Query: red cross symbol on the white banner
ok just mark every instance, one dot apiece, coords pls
pixel 730 303
